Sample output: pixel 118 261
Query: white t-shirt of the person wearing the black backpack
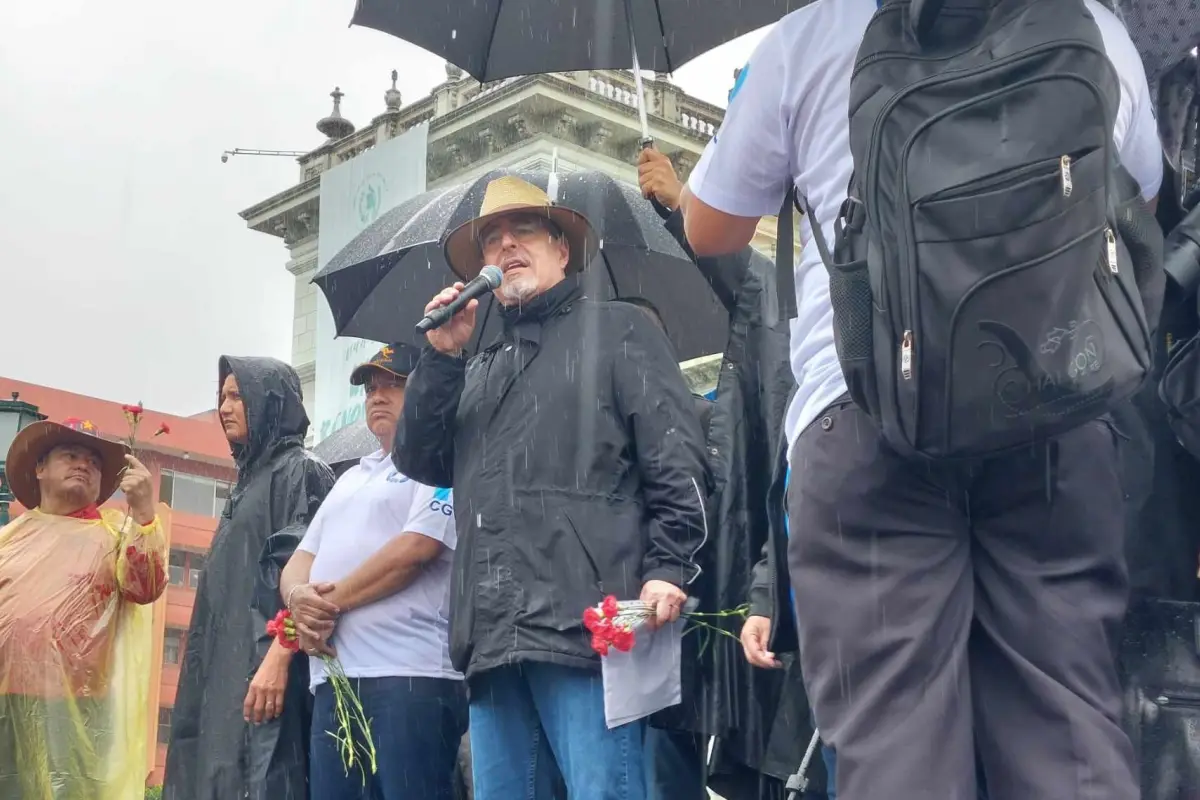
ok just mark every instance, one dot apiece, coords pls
pixel 788 121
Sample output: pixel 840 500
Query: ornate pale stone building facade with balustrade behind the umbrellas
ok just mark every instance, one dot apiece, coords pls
pixel 575 121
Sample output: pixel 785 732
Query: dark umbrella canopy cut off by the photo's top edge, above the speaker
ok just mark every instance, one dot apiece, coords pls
pixel 500 39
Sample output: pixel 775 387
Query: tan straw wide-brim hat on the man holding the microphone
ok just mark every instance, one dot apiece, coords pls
pixel 512 195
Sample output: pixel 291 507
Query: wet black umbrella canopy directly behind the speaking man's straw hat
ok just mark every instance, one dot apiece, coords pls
pixel 379 286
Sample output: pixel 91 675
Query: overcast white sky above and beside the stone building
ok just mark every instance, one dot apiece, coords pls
pixel 125 269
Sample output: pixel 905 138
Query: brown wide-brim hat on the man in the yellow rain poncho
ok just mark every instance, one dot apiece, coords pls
pixel 40 438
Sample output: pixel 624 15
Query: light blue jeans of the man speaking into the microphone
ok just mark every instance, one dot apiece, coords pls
pixel 533 721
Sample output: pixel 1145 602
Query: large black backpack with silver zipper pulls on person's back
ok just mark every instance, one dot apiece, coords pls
pixel 983 292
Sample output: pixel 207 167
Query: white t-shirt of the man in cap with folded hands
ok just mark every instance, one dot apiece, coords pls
pixel 405 635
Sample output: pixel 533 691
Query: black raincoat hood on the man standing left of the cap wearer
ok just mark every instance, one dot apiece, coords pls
pixel 275 414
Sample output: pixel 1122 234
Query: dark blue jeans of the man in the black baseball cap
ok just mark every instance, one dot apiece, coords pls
pixel 416 724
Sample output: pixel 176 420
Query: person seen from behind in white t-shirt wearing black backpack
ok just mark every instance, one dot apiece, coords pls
pixel 969 312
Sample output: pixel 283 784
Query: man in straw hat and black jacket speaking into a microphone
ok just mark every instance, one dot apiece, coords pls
pixel 578 467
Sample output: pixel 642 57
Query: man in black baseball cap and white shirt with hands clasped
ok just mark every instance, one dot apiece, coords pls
pixel 373 581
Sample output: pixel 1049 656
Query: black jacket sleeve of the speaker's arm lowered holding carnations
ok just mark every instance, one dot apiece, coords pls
pixel 655 400
